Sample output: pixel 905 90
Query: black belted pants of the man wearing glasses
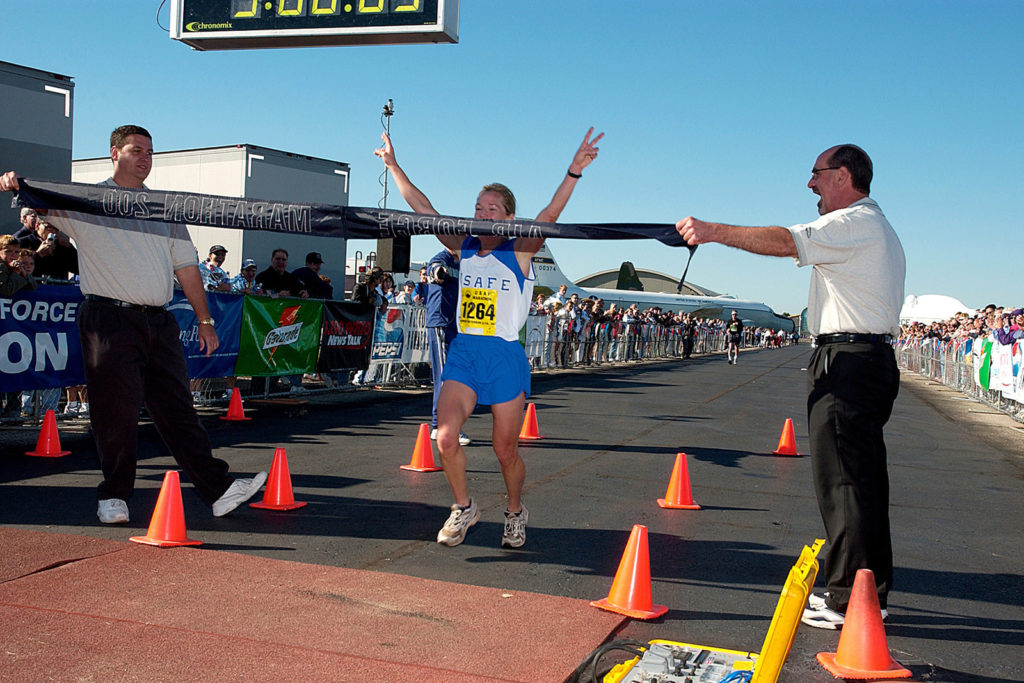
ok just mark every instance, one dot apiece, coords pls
pixel 852 391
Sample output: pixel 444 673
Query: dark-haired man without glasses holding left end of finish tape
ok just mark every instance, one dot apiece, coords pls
pixel 131 343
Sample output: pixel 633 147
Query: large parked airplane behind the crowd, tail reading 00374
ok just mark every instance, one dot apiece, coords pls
pixel 753 314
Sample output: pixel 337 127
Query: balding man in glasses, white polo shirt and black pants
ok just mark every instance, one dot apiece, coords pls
pixel 854 312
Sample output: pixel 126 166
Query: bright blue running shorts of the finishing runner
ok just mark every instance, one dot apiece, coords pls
pixel 496 369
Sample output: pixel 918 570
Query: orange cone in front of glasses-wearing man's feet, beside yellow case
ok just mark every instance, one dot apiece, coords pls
pixel 863 653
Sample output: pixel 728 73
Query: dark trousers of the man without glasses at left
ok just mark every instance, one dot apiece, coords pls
pixel 132 358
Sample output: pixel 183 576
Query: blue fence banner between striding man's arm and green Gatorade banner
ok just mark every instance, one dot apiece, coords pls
pixel 227 311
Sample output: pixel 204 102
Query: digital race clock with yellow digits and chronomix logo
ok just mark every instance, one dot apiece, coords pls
pixel 231 25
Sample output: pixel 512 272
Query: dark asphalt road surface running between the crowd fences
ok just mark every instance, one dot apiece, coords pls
pixel 611 441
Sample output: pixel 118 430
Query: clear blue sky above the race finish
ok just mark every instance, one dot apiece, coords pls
pixel 715 109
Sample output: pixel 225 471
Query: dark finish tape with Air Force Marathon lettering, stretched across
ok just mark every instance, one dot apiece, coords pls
pixel 319 220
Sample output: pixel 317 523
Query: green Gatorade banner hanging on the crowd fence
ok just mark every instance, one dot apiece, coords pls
pixel 279 337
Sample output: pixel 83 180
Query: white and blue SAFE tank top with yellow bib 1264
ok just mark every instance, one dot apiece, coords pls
pixel 494 295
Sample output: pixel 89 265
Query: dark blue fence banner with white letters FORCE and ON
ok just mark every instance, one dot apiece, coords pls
pixel 39 344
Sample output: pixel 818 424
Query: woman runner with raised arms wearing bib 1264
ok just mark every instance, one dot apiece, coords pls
pixel 487 365
